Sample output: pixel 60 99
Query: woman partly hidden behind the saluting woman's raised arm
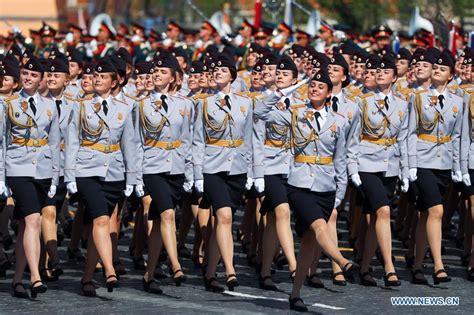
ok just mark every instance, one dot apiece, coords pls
pixel 272 160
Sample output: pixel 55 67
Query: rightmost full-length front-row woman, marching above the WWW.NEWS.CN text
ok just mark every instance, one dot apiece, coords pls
pixel 433 157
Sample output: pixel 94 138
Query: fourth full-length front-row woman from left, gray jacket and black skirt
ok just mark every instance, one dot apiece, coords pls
pixel 222 160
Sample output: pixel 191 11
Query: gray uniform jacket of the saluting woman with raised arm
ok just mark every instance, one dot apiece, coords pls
pixel 330 143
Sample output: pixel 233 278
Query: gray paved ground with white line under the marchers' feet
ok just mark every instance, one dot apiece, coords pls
pixel 64 296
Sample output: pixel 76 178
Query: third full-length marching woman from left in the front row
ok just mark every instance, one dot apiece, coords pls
pixel 164 159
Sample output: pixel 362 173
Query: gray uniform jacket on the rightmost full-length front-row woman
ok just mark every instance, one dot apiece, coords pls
pixel 434 133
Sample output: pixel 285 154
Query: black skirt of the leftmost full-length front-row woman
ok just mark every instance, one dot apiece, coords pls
pixel 30 195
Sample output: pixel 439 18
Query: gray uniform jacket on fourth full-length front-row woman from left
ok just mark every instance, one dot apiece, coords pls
pixel 209 126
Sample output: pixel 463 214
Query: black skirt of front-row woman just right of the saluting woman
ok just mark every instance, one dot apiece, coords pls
pixel 378 190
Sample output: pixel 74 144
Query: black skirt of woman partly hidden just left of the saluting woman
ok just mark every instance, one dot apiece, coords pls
pixel 276 192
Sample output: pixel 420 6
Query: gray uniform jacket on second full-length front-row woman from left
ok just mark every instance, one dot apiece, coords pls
pixel 85 124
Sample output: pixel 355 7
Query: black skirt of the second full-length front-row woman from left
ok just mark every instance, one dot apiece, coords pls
pixel 100 197
